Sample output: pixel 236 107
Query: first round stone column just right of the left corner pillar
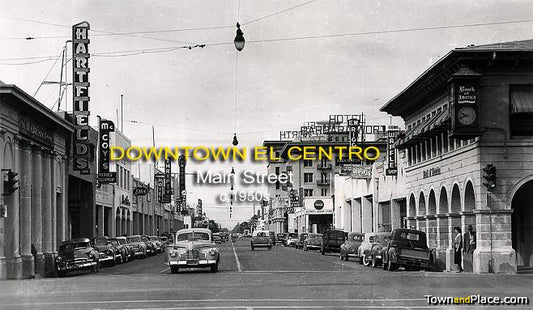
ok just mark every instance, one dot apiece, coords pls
pixel 26 178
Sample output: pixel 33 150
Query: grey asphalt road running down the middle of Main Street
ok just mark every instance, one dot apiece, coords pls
pixel 283 278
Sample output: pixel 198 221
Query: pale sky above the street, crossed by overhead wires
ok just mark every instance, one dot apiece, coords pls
pixel 303 60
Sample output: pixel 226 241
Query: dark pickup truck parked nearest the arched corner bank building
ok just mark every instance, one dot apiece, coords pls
pixel 408 248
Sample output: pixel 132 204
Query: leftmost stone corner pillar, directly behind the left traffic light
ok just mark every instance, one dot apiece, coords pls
pixel 14 260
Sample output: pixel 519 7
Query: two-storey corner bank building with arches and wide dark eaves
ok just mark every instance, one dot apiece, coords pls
pixel 444 171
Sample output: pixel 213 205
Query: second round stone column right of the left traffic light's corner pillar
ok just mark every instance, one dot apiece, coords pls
pixel 36 210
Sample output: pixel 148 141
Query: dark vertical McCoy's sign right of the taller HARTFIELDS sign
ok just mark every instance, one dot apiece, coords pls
pixel 104 128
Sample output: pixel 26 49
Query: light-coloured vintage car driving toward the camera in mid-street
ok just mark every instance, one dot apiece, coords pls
pixel 193 248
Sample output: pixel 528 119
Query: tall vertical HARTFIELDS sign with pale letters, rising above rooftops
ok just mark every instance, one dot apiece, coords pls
pixel 80 87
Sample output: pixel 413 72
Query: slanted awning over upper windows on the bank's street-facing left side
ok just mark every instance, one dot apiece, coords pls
pixel 436 123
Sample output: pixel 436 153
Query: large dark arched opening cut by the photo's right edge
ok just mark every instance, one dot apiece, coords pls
pixel 522 226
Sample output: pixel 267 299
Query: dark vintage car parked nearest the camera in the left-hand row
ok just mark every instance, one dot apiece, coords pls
pixel 76 254
